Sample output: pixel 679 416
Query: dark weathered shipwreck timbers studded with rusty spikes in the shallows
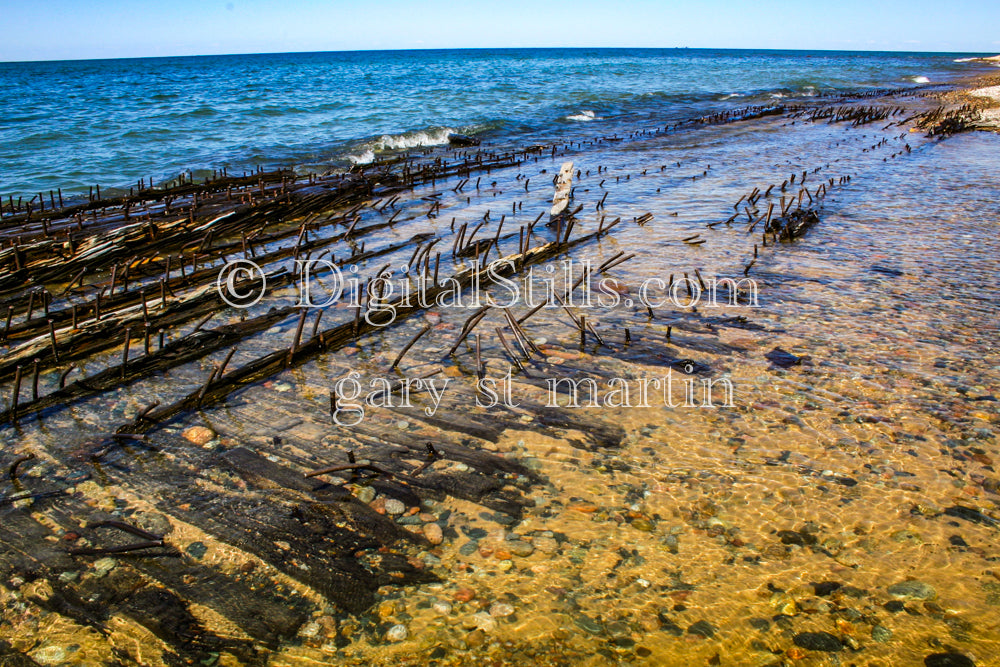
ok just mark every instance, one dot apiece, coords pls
pixel 131 280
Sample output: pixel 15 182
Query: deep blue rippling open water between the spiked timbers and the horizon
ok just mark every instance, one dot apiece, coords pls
pixel 73 124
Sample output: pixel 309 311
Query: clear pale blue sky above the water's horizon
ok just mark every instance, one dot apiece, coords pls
pixel 75 29
